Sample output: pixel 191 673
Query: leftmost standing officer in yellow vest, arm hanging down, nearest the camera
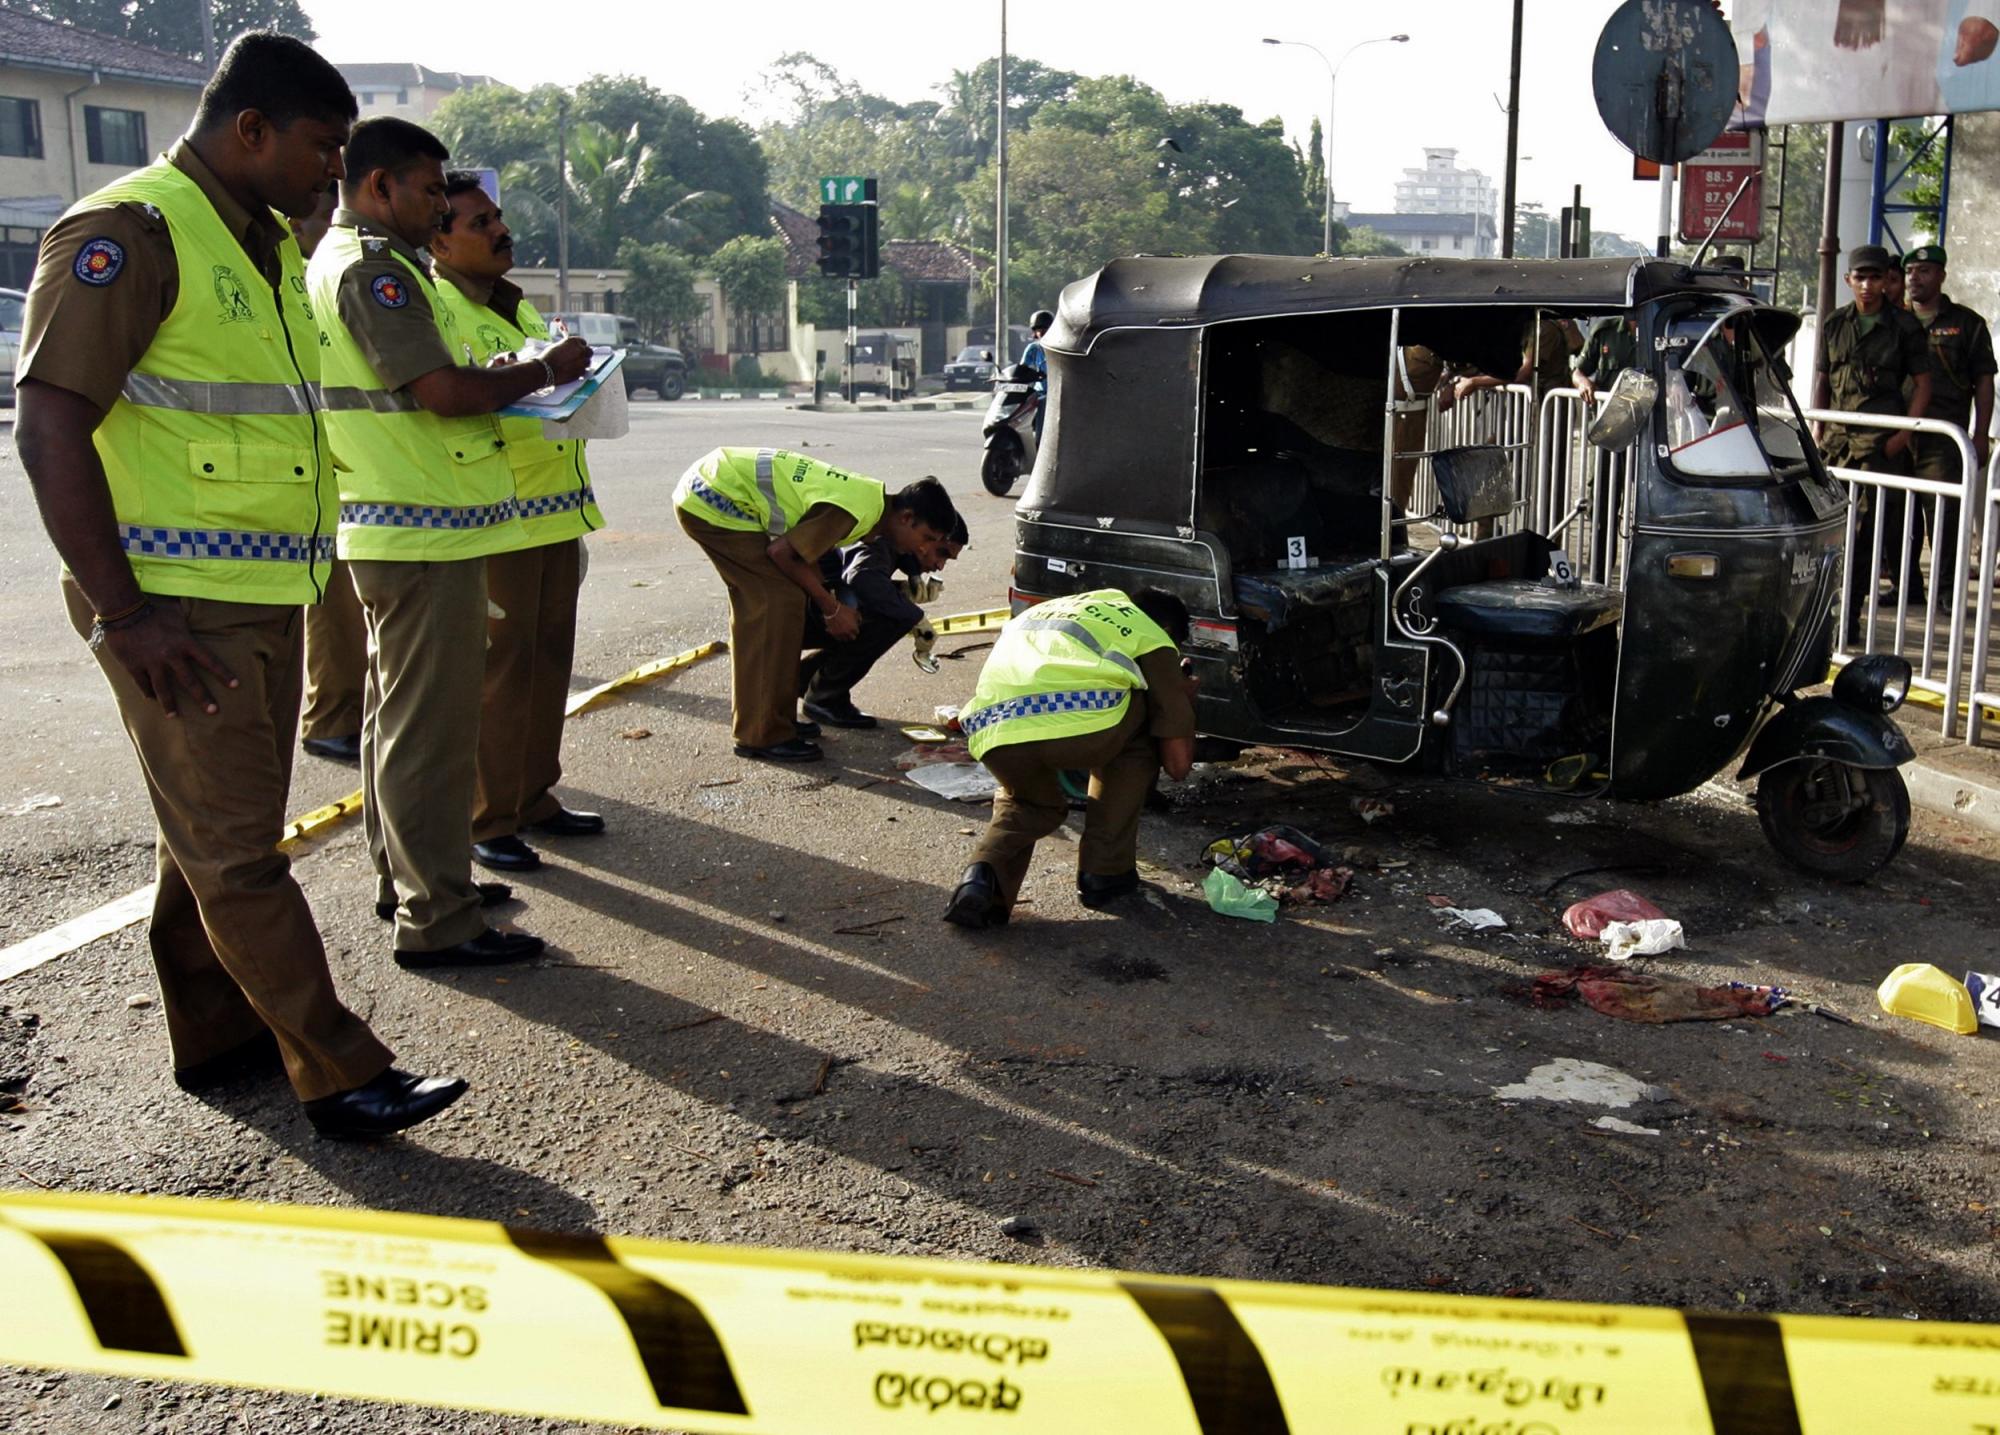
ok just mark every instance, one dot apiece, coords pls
pixel 169 427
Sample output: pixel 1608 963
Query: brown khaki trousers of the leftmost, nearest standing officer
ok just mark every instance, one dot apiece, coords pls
pixel 233 938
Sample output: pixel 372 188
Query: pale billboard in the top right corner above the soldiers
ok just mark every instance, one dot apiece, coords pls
pixel 1865 59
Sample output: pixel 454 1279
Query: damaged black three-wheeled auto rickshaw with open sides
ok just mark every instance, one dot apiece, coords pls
pixel 1247 433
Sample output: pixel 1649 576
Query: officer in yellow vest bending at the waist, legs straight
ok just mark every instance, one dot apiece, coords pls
pixel 765 517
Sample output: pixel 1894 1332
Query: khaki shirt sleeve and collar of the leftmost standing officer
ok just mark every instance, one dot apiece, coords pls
pixel 89 337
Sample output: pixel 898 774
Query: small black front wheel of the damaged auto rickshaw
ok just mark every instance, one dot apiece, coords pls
pixel 1835 820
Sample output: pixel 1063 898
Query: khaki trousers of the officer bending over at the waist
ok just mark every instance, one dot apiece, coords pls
pixel 767 631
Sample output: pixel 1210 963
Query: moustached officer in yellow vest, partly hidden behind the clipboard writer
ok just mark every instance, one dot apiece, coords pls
pixel 531 641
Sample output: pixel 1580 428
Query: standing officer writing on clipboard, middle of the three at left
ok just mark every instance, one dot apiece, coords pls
pixel 427 495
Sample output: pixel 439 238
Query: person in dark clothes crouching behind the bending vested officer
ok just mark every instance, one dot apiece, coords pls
pixel 865 577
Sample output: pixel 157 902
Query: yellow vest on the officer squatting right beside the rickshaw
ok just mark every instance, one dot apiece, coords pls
pixel 1061 671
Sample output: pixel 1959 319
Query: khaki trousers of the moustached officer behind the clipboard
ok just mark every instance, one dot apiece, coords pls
pixel 529 657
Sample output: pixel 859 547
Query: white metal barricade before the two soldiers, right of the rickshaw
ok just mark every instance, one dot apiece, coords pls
pixel 1897 497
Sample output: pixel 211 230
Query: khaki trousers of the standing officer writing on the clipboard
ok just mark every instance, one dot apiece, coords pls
pixel 427 661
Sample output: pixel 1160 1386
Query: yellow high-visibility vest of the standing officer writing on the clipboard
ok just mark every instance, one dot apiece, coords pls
pixel 413 487
